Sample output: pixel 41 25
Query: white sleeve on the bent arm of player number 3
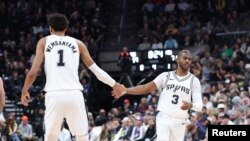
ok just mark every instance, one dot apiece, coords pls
pixel 196 95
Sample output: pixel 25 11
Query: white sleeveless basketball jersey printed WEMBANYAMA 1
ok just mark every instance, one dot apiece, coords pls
pixel 61 63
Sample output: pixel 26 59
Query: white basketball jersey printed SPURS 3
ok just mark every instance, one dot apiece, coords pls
pixel 175 89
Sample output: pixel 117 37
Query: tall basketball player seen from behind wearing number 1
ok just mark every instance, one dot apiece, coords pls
pixel 63 98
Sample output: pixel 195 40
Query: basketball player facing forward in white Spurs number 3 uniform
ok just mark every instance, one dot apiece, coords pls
pixel 181 91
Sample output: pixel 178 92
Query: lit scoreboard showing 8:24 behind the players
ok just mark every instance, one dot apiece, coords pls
pixel 158 59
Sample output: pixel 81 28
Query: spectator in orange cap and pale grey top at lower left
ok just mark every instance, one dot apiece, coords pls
pixel 26 130
